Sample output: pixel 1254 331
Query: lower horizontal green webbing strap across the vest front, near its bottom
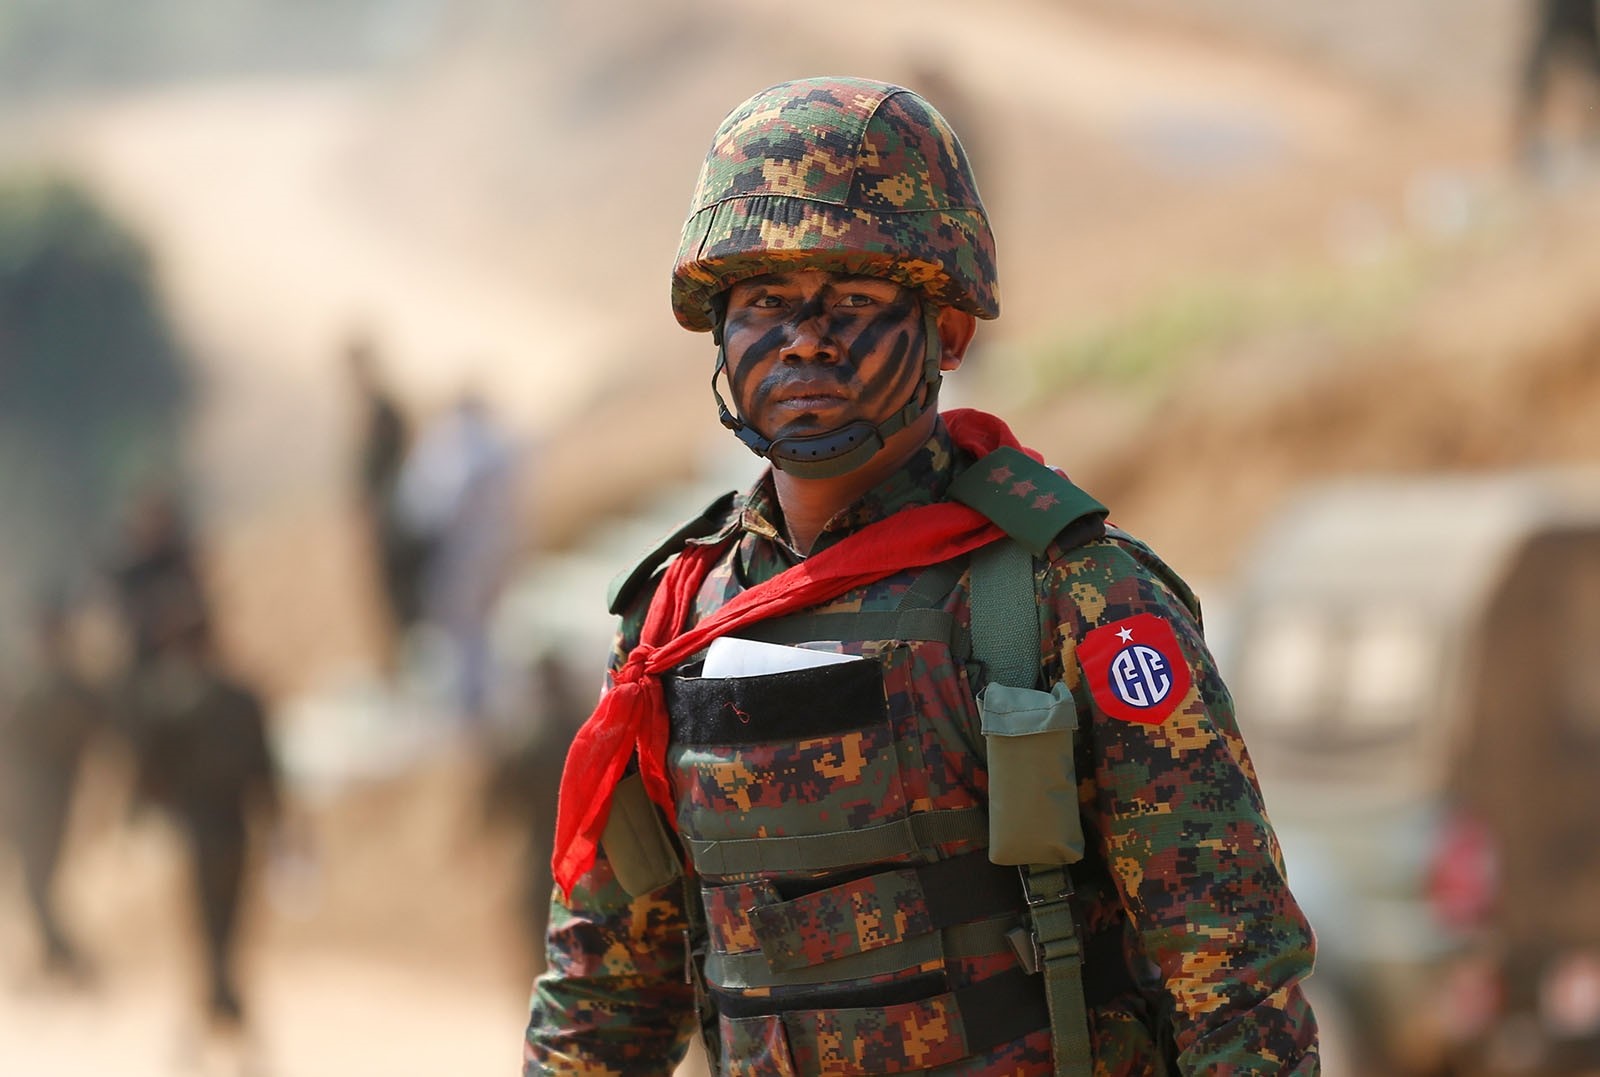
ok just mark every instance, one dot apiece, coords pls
pixel 750 971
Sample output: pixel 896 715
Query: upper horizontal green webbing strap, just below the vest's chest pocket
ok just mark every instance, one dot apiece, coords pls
pixel 828 852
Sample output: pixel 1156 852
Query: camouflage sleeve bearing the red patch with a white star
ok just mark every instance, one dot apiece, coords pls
pixel 1174 809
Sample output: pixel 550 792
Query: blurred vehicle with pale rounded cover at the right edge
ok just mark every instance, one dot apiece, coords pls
pixel 1417 665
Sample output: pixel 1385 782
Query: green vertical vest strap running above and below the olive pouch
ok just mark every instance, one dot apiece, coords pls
pixel 1007 641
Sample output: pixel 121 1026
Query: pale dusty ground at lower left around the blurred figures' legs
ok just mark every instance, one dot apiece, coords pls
pixel 386 945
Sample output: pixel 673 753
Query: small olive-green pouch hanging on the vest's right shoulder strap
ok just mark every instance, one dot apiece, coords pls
pixel 1033 782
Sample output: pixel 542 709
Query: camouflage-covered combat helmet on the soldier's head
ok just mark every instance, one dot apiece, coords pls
pixel 842 175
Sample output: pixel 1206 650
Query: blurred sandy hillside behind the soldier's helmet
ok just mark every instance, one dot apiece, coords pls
pixel 1177 190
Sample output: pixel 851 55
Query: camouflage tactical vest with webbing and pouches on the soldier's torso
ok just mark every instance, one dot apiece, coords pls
pixel 858 919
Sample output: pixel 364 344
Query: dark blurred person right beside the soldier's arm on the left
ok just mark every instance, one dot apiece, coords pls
pixel 527 775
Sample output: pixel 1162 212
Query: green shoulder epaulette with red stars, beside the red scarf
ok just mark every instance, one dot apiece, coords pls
pixel 1030 502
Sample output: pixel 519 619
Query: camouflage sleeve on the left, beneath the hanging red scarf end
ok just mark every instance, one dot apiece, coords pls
pixel 614 999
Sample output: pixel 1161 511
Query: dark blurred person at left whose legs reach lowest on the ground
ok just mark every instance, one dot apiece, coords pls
pixel 204 758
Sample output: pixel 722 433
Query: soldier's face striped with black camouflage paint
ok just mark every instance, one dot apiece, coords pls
pixel 812 351
